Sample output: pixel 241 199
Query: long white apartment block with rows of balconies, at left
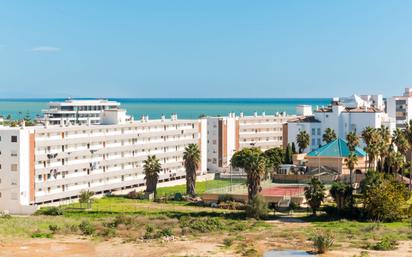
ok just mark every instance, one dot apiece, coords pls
pixel 45 164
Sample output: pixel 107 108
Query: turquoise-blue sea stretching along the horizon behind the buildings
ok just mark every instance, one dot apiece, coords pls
pixel 184 107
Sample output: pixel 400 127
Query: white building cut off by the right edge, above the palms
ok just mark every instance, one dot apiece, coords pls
pixel 400 108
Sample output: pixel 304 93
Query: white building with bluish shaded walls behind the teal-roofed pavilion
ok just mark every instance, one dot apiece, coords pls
pixel 342 119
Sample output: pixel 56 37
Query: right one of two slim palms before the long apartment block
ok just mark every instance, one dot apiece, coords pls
pixel 191 156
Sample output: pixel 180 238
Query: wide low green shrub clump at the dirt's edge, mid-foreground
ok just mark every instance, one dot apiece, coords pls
pixel 202 225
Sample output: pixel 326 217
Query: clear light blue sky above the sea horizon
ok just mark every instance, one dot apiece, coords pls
pixel 207 49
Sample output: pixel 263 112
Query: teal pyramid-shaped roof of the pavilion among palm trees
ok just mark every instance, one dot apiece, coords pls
pixel 336 148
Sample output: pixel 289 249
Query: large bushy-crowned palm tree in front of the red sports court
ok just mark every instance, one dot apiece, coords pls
pixel 254 164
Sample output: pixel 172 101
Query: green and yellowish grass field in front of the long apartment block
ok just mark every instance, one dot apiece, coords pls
pixel 118 216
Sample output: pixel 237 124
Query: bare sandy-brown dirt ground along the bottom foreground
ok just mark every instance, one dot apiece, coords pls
pixel 212 245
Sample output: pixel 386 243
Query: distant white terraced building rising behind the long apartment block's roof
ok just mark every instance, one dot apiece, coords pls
pixel 77 111
